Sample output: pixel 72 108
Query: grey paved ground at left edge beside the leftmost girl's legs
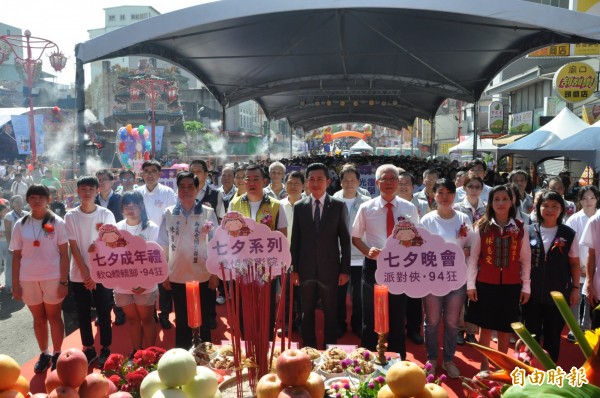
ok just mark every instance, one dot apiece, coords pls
pixel 16 329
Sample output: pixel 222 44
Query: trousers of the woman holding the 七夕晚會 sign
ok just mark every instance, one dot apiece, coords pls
pixel 435 308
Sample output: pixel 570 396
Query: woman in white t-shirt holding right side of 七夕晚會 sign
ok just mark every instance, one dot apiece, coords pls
pixel 454 227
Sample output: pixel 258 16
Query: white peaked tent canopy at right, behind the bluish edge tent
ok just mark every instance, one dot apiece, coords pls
pixel 562 126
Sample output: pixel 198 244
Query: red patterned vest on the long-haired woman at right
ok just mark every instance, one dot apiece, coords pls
pixel 499 257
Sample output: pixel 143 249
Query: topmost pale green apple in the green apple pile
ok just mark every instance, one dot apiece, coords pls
pixel 176 367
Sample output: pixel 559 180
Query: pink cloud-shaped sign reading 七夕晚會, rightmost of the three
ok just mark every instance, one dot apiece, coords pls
pixel 417 263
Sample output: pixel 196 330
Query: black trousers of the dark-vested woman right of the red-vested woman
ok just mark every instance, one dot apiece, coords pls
pixel 544 320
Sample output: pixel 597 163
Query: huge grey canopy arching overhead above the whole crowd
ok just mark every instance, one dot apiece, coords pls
pixel 319 62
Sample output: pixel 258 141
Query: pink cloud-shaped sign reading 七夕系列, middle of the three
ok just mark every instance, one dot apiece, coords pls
pixel 240 242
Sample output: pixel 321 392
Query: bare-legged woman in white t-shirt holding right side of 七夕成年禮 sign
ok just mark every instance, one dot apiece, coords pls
pixel 138 304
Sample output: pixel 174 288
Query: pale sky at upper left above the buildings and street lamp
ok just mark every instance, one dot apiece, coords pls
pixel 66 23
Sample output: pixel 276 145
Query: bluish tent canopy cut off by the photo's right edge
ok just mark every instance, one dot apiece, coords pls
pixel 584 146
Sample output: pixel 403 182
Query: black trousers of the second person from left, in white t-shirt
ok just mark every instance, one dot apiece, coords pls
pixel 102 299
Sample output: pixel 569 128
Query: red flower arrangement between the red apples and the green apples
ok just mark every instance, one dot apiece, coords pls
pixel 128 374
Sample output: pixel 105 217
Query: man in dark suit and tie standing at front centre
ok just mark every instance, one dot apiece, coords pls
pixel 320 253
